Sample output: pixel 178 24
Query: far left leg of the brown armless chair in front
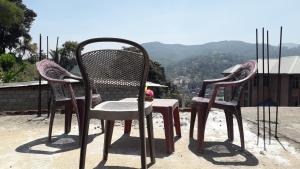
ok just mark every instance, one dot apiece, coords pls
pixel 107 138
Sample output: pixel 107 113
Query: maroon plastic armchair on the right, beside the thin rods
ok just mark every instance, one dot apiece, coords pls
pixel 201 105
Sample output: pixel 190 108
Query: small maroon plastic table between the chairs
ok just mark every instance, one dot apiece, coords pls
pixel 169 108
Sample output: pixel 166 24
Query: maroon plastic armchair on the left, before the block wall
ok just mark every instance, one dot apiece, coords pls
pixel 63 94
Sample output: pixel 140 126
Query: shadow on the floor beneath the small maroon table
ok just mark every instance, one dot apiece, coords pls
pixel 133 146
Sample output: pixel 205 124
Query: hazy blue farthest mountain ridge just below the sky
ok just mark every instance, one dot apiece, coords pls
pixel 168 54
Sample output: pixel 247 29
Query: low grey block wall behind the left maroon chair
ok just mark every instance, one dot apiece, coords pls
pixel 24 95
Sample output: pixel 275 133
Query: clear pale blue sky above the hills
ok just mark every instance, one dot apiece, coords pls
pixel 167 21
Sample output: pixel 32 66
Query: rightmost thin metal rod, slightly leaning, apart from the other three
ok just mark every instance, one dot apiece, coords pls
pixel 278 83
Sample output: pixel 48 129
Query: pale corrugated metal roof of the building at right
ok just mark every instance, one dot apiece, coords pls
pixel 289 65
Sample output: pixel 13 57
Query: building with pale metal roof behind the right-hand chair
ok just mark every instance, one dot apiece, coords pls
pixel 290 83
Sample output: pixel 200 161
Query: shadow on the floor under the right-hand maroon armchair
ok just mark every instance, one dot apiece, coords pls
pixel 224 153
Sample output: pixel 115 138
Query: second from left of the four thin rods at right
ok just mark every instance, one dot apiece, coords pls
pixel 263 85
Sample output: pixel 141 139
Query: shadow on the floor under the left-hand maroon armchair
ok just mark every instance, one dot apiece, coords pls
pixel 59 144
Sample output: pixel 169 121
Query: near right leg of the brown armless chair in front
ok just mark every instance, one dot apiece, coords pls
pixel 143 142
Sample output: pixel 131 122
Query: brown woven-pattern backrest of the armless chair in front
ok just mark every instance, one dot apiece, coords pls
pixel 112 70
